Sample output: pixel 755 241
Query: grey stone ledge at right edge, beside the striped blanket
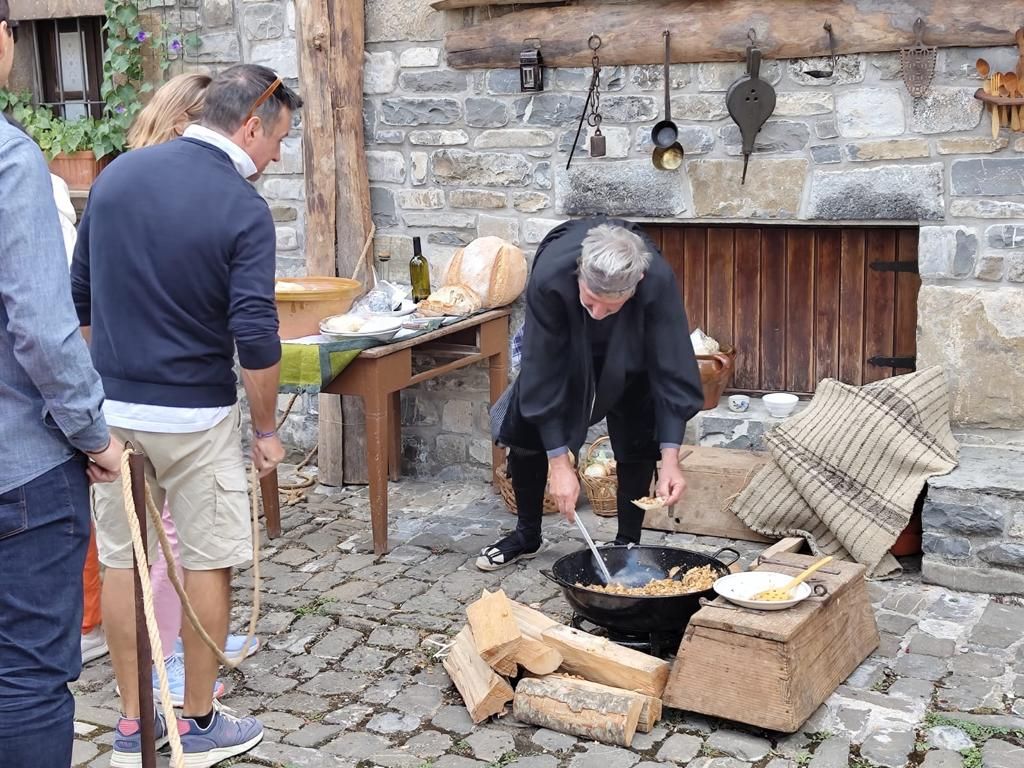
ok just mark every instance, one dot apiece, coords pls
pixel 974 523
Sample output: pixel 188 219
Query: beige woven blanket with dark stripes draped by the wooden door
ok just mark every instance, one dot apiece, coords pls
pixel 846 472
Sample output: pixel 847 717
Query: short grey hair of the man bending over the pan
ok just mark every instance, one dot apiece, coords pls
pixel 613 261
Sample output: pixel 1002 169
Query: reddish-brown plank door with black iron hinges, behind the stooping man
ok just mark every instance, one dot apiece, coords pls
pixel 800 305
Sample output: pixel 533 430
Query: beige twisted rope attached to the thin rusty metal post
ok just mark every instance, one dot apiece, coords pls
pixel 142 558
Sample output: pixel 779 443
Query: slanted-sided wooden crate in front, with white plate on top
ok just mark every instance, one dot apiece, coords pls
pixel 775 669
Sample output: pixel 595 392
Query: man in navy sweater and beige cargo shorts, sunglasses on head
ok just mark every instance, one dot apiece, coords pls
pixel 174 273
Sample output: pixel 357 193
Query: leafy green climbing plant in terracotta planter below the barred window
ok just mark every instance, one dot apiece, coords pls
pixel 78 150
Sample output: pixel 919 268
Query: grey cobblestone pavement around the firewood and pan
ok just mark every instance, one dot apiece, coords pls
pixel 347 678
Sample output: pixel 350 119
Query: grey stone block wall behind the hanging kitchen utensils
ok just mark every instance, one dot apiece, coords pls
pixel 454 155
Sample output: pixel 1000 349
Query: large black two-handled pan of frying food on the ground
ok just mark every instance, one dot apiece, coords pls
pixel 628 614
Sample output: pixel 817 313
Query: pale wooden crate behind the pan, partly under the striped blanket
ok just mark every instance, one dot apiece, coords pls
pixel 713 478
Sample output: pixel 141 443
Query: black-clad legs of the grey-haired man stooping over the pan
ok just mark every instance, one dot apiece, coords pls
pixel 631 429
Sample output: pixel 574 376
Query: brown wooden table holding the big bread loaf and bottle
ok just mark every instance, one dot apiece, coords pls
pixel 379 375
